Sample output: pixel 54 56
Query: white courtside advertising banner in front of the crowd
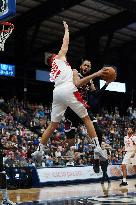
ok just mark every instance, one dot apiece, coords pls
pixel 78 173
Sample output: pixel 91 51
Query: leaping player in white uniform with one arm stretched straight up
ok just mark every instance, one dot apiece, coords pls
pixel 65 93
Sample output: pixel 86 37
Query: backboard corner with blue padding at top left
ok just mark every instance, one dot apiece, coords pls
pixel 7 9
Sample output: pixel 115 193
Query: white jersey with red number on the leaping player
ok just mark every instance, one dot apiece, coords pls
pixel 61 73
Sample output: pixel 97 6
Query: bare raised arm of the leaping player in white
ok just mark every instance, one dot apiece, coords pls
pixel 64 48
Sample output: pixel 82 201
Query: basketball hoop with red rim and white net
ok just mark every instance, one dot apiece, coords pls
pixel 6 29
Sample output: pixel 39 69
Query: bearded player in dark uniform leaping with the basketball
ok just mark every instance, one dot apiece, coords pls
pixel 85 91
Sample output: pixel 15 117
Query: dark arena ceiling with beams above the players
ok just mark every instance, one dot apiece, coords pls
pixel 97 27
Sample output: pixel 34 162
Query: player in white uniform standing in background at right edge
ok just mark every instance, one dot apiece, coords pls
pixel 130 156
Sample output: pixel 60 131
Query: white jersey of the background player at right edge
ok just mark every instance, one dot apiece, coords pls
pixel 130 143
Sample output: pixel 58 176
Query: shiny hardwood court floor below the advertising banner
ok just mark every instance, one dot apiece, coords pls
pixel 92 193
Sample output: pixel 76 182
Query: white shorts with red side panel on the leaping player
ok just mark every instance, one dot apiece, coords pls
pixel 64 97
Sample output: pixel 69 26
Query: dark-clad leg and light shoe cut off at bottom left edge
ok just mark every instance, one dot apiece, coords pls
pixel 3 181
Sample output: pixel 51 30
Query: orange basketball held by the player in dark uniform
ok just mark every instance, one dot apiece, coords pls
pixel 109 75
